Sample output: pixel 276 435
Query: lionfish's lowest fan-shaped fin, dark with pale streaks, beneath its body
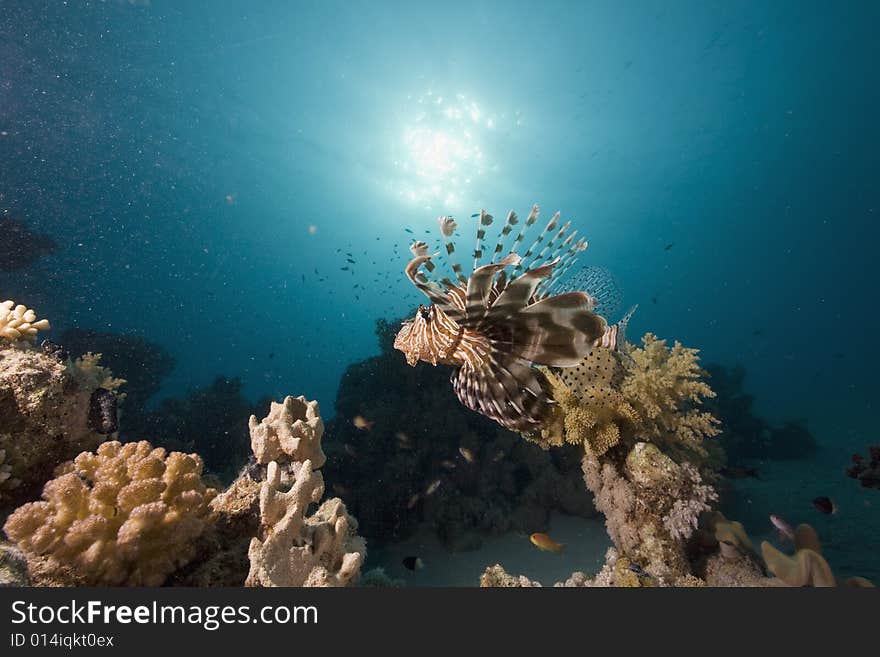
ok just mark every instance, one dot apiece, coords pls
pixel 512 393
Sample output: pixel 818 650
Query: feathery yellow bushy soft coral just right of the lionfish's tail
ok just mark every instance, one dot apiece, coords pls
pixel 664 386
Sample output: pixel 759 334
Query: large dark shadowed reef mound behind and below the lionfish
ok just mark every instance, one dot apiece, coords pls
pixel 496 484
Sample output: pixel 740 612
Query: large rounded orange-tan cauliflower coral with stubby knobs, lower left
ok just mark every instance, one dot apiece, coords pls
pixel 127 514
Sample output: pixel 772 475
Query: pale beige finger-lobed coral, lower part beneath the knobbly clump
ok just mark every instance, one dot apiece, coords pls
pixel 300 550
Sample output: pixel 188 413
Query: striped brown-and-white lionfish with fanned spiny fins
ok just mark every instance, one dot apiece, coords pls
pixel 493 327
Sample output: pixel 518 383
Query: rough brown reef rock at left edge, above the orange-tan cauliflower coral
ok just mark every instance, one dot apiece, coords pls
pixel 45 416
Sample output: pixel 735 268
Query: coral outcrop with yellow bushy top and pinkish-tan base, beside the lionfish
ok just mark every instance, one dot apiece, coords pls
pixel 649 457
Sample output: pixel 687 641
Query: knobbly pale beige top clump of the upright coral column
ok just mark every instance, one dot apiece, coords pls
pixel 291 432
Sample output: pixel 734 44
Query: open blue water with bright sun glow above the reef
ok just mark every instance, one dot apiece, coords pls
pixel 199 162
